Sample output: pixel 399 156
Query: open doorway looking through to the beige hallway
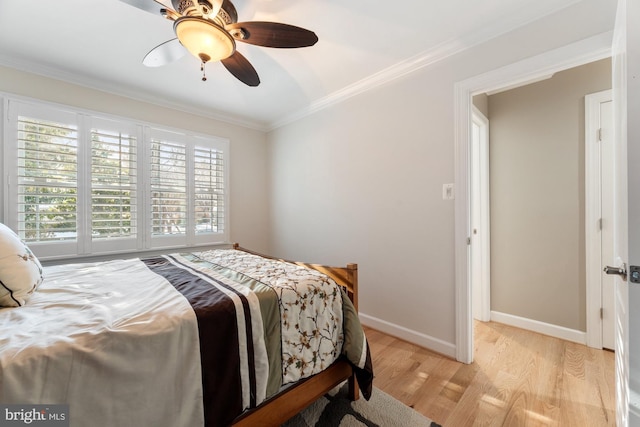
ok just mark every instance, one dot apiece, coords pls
pixel 538 203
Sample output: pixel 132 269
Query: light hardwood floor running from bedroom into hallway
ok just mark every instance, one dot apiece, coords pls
pixel 518 378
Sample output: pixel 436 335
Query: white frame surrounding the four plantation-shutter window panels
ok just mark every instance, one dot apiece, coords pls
pixel 84 245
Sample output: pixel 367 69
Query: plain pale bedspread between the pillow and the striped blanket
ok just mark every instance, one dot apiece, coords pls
pixel 114 341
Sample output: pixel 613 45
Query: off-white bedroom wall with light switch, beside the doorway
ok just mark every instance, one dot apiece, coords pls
pixel 361 181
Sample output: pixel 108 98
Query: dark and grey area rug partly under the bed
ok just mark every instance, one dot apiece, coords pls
pixel 336 410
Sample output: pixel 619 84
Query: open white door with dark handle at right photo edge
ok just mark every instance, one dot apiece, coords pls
pixel 626 97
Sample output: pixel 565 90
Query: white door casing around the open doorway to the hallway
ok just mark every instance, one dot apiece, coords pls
pixel 531 69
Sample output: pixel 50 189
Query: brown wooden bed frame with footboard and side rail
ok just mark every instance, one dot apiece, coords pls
pixel 298 396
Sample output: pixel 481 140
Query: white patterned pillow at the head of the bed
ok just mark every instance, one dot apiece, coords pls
pixel 20 270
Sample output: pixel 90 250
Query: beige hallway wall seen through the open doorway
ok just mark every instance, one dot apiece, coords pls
pixel 538 196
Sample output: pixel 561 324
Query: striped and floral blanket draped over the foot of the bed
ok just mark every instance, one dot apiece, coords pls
pixel 292 322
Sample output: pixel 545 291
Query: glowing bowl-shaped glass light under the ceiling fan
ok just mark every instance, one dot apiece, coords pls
pixel 204 39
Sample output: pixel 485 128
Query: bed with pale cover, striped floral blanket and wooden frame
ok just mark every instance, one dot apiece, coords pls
pixel 183 339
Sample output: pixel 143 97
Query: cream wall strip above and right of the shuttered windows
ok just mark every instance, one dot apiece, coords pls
pixel 248 148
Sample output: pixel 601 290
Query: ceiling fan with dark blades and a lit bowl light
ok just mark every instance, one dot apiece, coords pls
pixel 209 29
